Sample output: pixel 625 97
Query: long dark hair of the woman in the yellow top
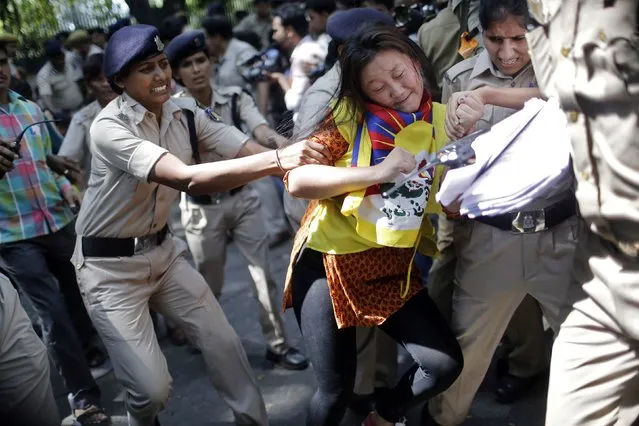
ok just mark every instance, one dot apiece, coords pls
pixel 360 50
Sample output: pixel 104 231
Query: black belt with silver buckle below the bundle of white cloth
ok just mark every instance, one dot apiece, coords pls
pixel 534 220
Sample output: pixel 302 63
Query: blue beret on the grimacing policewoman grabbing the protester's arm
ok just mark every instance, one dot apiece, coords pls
pixel 129 45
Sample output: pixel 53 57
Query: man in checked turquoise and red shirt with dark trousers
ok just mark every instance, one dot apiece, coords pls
pixel 37 240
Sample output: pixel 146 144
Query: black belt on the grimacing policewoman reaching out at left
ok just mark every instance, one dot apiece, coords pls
pixel 117 247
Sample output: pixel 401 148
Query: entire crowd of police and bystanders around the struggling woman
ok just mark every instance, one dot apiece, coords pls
pixel 139 153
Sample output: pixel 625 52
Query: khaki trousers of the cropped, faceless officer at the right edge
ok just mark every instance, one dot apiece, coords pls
pixel 594 376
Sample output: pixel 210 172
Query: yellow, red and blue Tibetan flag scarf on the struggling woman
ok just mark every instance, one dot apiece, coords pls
pixel 394 220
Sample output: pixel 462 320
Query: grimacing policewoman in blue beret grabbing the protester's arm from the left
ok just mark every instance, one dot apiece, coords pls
pixel 125 259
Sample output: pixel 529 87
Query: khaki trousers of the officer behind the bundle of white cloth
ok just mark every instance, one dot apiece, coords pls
pixel 495 271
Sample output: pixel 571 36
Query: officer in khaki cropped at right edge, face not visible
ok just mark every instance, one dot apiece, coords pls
pixel 585 53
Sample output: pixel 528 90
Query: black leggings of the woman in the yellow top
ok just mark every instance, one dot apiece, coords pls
pixel 418 326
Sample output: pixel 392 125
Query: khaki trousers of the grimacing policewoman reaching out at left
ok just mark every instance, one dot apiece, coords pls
pixel 118 293
